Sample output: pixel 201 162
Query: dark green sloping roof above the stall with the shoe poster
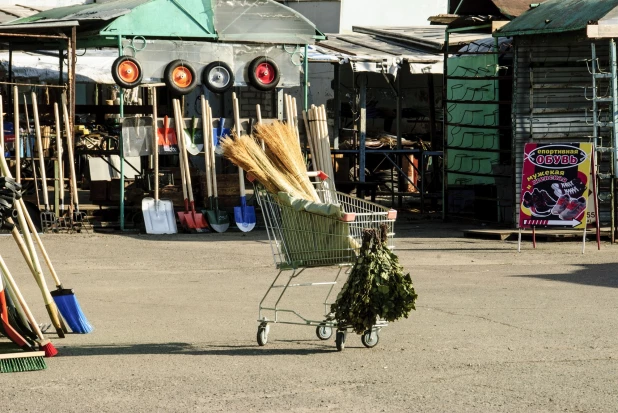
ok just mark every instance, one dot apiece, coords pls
pixel 557 16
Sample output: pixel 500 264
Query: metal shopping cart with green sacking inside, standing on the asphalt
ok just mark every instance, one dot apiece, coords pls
pixel 304 238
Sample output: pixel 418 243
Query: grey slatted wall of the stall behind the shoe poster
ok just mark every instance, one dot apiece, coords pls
pixel 552 92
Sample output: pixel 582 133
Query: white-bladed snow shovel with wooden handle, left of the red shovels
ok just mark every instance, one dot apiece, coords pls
pixel 158 213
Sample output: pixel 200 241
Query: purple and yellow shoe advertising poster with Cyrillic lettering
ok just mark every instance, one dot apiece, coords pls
pixel 555 185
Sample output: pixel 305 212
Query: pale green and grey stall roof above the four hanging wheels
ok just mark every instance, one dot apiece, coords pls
pixel 226 20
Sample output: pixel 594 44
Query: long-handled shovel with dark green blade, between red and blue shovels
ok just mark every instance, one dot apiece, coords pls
pixel 218 220
